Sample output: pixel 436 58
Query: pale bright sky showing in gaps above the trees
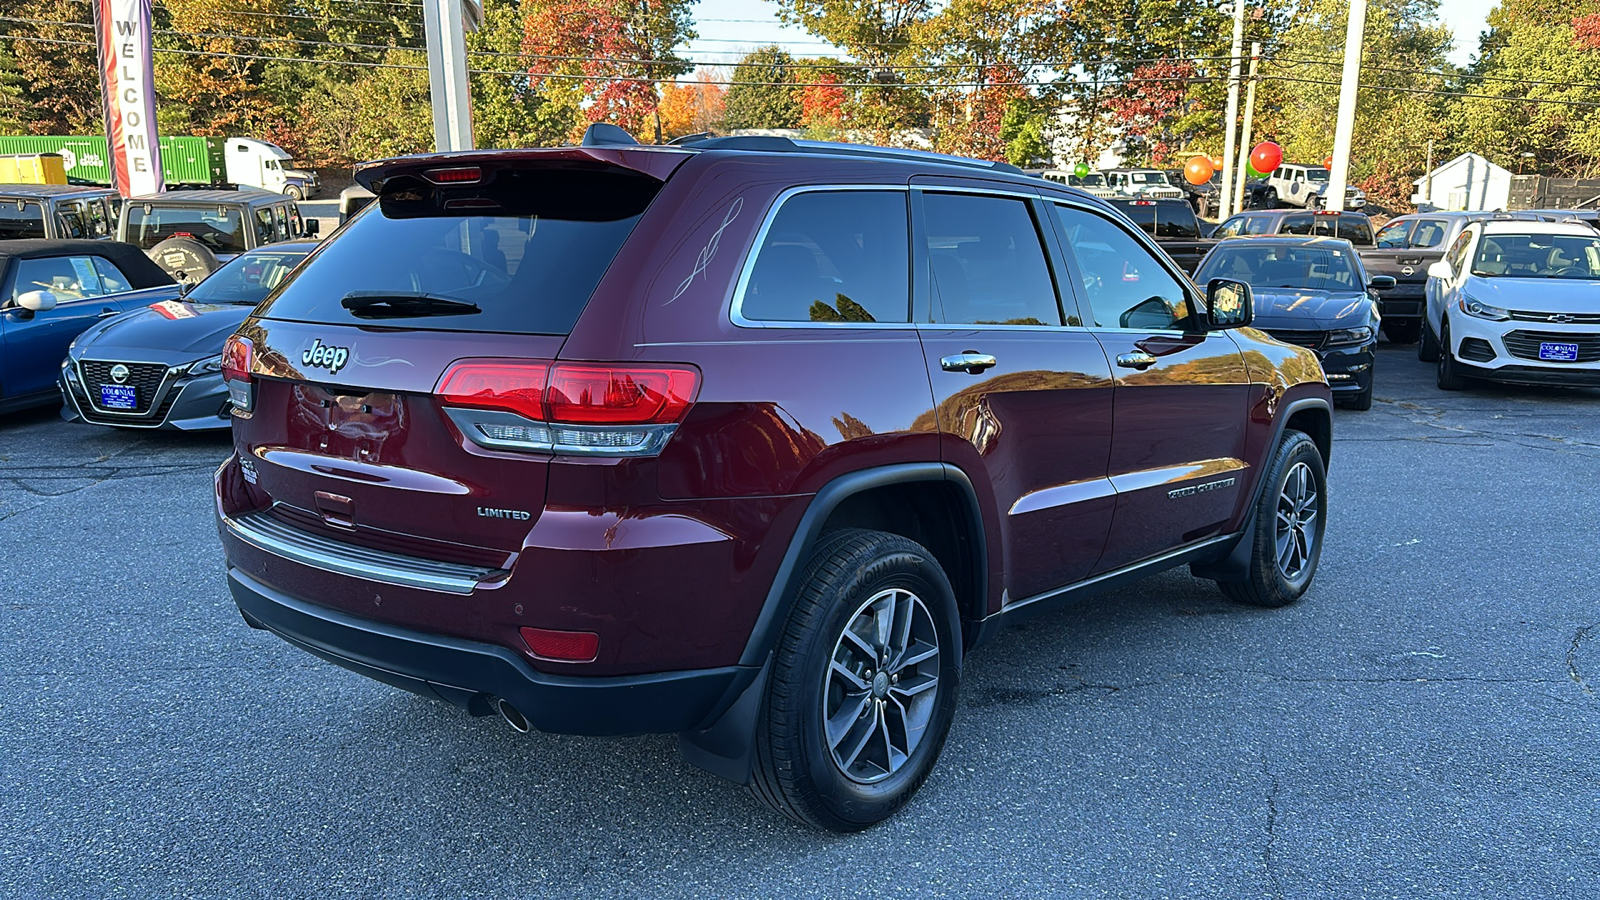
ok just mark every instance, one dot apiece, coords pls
pixel 732 28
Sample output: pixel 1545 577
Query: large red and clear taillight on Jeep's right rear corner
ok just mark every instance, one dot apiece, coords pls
pixel 602 411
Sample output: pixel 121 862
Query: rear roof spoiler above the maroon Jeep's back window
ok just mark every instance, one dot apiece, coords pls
pixel 654 163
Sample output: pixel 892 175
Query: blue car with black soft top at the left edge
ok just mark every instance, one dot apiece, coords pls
pixel 50 292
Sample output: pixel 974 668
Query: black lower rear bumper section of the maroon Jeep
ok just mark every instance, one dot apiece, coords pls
pixel 471 675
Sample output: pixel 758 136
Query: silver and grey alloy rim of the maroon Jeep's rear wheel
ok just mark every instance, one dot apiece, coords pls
pixel 882 686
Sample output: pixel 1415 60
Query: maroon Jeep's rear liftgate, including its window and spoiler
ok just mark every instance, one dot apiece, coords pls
pixel 492 262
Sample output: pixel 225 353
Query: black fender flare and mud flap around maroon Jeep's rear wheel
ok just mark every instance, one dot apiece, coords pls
pixel 727 745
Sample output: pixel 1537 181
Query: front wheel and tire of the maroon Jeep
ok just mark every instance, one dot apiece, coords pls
pixel 1289 526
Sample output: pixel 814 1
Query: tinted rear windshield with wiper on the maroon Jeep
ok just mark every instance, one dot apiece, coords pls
pixel 518 255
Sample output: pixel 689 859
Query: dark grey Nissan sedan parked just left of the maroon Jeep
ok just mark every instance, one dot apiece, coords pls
pixel 161 366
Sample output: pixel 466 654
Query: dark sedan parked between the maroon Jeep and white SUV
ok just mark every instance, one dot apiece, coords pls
pixel 1311 292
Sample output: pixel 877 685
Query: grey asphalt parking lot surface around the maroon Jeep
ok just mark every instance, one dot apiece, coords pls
pixel 1426 723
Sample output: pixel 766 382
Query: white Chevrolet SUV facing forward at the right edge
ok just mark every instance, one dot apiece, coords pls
pixel 1516 302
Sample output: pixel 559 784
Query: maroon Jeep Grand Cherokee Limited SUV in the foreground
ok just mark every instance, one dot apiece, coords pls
pixel 748 441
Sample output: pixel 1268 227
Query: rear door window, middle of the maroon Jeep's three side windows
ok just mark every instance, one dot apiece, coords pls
pixel 986 263
